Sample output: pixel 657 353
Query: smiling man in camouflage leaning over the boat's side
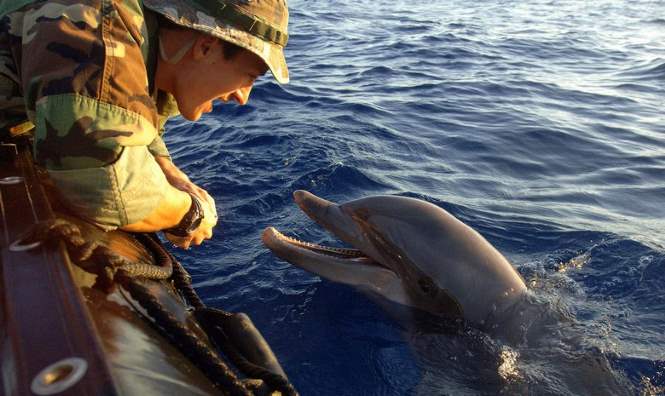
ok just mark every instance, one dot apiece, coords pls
pixel 98 80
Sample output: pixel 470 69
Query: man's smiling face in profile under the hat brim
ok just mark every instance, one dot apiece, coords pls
pixel 208 76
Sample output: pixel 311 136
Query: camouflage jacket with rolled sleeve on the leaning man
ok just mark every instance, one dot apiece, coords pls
pixel 81 73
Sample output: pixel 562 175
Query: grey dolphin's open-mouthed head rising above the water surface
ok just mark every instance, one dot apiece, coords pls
pixel 406 250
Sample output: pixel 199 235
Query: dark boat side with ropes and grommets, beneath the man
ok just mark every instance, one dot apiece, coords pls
pixel 89 312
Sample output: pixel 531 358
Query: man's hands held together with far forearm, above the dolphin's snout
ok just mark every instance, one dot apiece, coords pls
pixel 181 181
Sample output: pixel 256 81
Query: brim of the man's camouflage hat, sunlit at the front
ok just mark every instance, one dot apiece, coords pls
pixel 183 14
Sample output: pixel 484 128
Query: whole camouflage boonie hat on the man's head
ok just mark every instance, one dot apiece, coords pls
pixel 259 26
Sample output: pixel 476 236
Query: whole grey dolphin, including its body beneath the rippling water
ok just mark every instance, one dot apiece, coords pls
pixel 413 253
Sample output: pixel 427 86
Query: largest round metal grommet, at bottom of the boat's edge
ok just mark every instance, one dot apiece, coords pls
pixel 59 376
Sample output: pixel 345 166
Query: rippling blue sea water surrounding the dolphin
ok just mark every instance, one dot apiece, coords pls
pixel 539 123
